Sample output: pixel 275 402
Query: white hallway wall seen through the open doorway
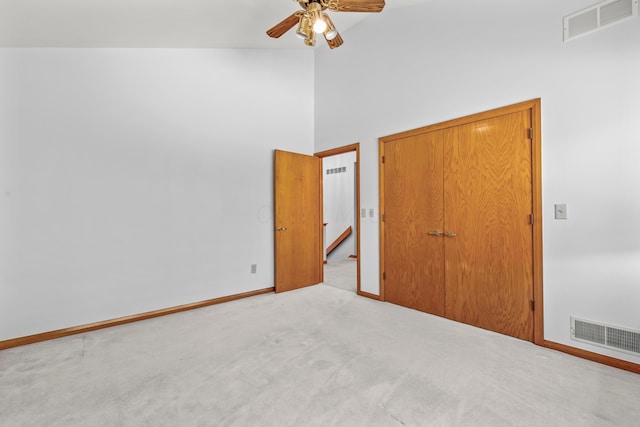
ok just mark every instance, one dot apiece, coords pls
pixel 338 202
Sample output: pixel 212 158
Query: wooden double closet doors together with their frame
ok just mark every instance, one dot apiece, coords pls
pixel 489 256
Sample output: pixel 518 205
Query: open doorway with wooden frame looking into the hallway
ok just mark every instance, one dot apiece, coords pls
pixel 341 221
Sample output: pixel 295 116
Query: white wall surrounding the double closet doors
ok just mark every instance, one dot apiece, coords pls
pixel 411 67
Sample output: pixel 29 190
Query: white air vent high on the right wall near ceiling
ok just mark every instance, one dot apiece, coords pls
pixel 598 16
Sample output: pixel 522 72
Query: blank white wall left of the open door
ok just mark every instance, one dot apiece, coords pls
pixel 134 180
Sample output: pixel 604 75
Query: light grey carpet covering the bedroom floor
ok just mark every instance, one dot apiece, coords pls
pixel 318 356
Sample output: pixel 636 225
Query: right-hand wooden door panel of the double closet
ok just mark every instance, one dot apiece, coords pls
pixel 488 203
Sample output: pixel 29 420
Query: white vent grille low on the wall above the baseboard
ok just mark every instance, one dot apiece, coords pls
pixel 609 336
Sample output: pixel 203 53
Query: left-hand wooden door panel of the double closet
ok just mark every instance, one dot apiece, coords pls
pixel 413 242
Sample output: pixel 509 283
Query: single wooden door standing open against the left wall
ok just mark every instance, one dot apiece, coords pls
pixel 297 221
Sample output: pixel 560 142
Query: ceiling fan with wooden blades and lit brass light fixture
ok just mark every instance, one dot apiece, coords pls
pixel 313 20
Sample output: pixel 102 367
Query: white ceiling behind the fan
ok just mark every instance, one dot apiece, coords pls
pixel 156 23
